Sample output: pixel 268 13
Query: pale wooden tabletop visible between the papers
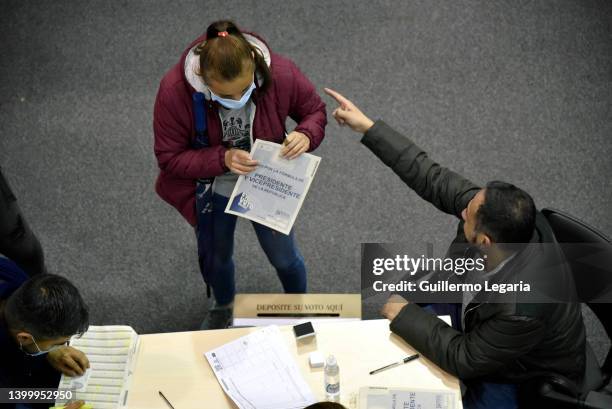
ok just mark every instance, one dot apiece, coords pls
pixel 175 364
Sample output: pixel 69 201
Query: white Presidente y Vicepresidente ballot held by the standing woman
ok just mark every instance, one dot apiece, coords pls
pixel 273 193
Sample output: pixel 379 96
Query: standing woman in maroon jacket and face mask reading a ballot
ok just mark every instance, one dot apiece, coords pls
pixel 227 90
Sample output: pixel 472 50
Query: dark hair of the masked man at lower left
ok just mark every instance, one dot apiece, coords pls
pixel 47 306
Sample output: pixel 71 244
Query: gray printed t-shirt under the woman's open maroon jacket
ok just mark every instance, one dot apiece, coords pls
pixel 236 124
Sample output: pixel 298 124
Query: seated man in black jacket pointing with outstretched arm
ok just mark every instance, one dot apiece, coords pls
pixel 495 346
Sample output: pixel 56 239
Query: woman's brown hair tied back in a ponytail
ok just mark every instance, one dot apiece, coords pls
pixel 224 57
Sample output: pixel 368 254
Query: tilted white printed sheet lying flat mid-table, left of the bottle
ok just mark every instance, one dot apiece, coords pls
pixel 258 372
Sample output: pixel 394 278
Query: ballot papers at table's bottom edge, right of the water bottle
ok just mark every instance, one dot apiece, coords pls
pixel 404 398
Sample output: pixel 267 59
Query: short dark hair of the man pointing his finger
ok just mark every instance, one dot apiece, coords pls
pixel 507 214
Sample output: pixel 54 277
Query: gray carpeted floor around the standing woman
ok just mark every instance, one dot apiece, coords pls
pixel 511 90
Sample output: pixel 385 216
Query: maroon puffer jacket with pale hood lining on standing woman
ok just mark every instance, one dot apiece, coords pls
pixel 290 94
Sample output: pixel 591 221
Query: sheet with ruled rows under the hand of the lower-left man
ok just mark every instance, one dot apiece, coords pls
pixel 111 351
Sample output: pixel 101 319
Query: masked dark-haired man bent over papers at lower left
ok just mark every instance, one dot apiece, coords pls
pixel 37 318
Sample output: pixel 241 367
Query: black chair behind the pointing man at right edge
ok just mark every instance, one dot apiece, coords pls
pixel 589 254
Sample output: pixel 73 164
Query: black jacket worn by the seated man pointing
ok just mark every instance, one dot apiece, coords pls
pixel 508 342
